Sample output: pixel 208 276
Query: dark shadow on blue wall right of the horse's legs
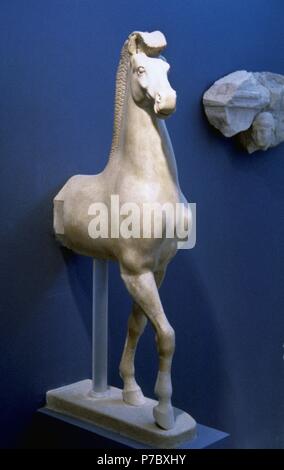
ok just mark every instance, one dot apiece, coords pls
pixel 198 342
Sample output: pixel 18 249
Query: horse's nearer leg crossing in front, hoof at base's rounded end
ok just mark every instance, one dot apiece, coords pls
pixel 144 291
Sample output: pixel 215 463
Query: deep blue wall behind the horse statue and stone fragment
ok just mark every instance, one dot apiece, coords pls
pixel 225 298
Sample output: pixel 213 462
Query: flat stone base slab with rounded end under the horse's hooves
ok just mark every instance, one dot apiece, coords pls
pixel 112 413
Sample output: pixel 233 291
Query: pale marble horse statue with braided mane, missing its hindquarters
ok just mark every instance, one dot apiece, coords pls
pixel 141 168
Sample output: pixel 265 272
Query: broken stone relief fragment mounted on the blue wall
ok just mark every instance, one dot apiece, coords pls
pixel 250 106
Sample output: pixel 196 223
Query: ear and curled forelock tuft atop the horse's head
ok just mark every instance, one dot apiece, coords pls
pixel 150 43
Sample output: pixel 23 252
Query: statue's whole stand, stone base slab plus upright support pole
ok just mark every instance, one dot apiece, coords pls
pixel 96 403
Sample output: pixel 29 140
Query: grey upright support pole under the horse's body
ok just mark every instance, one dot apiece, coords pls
pixel 100 327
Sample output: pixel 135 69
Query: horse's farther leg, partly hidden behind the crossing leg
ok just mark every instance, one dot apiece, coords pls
pixel 132 393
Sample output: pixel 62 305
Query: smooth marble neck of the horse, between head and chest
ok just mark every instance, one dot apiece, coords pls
pixel 145 147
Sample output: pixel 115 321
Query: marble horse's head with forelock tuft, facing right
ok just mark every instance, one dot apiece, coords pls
pixel 149 82
